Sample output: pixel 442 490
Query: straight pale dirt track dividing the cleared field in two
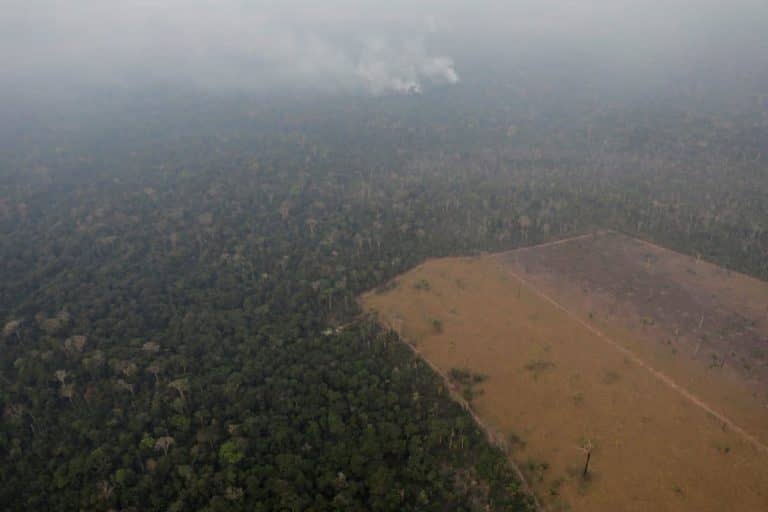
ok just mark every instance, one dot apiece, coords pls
pixel 667 380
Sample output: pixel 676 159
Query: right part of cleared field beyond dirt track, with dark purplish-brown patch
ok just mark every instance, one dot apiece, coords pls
pixel 704 326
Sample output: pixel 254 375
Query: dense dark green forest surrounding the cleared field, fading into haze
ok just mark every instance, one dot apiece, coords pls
pixel 178 281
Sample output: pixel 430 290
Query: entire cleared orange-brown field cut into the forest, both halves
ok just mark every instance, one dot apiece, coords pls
pixel 652 361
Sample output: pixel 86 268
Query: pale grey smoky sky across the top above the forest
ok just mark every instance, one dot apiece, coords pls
pixel 365 45
